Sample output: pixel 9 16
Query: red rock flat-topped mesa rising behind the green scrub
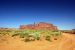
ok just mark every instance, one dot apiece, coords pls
pixel 39 26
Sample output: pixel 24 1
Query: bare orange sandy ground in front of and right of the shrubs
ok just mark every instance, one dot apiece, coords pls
pixel 67 42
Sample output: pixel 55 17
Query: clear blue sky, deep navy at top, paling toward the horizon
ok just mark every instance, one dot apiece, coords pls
pixel 61 13
